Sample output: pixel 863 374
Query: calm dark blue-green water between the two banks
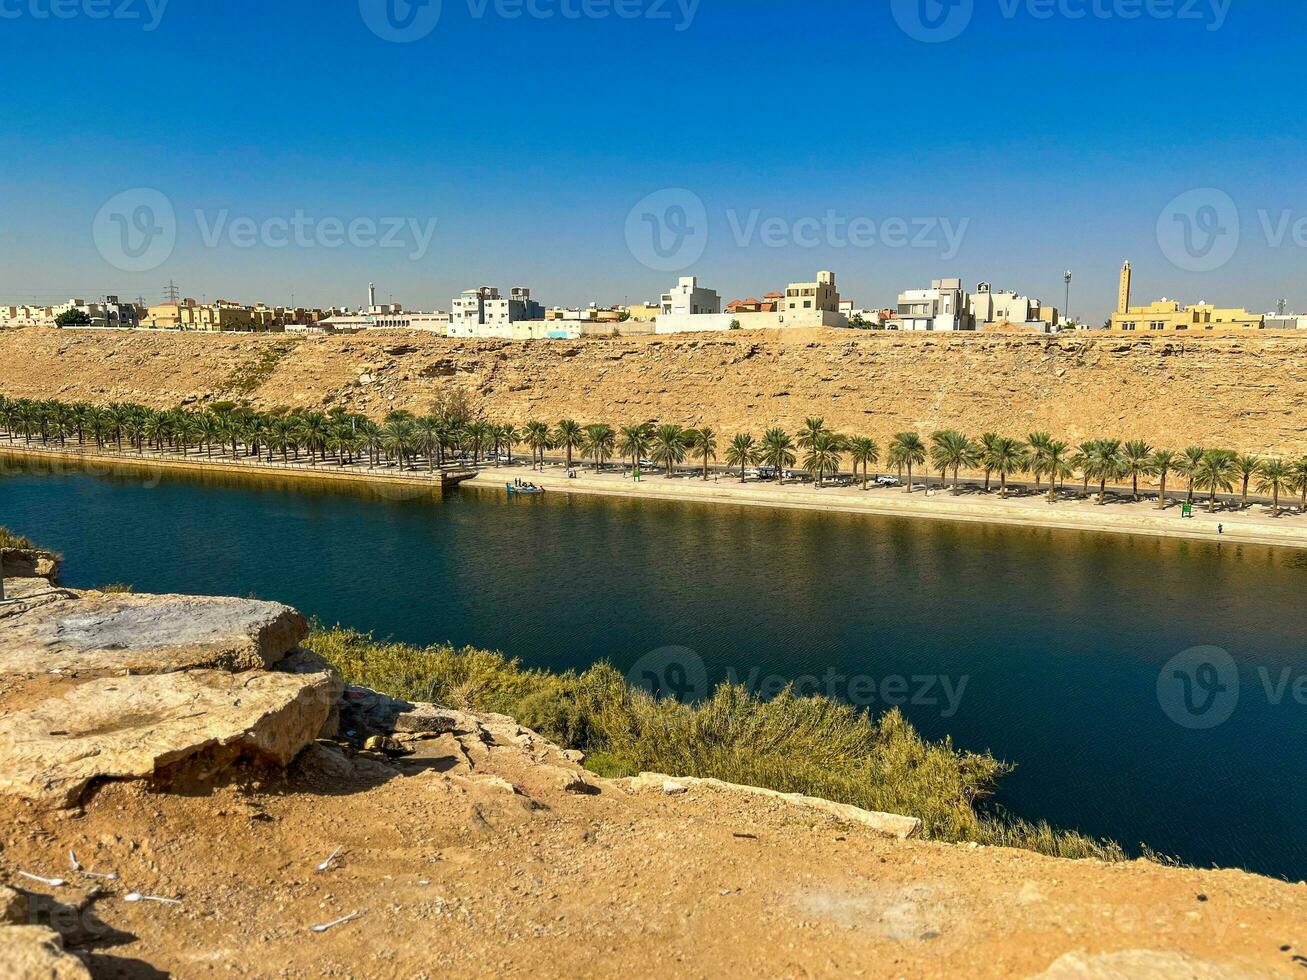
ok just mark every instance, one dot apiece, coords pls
pixel 1058 637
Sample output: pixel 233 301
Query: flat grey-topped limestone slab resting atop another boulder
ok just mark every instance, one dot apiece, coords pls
pixel 49 629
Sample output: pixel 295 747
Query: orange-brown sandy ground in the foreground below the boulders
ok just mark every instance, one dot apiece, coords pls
pixel 476 862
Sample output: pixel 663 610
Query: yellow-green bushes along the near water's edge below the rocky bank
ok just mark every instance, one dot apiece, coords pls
pixel 793 744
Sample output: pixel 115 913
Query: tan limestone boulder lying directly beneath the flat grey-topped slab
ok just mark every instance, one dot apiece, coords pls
pixel 141 727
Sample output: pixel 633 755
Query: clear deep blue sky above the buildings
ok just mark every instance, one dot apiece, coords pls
pixel 1041 139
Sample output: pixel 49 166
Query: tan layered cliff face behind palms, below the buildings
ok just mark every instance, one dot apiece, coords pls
pixel 1248 394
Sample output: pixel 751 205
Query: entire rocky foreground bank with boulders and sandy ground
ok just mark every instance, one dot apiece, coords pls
pixel 185 791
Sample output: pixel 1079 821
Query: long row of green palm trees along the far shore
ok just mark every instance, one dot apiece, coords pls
pixel 454 434
